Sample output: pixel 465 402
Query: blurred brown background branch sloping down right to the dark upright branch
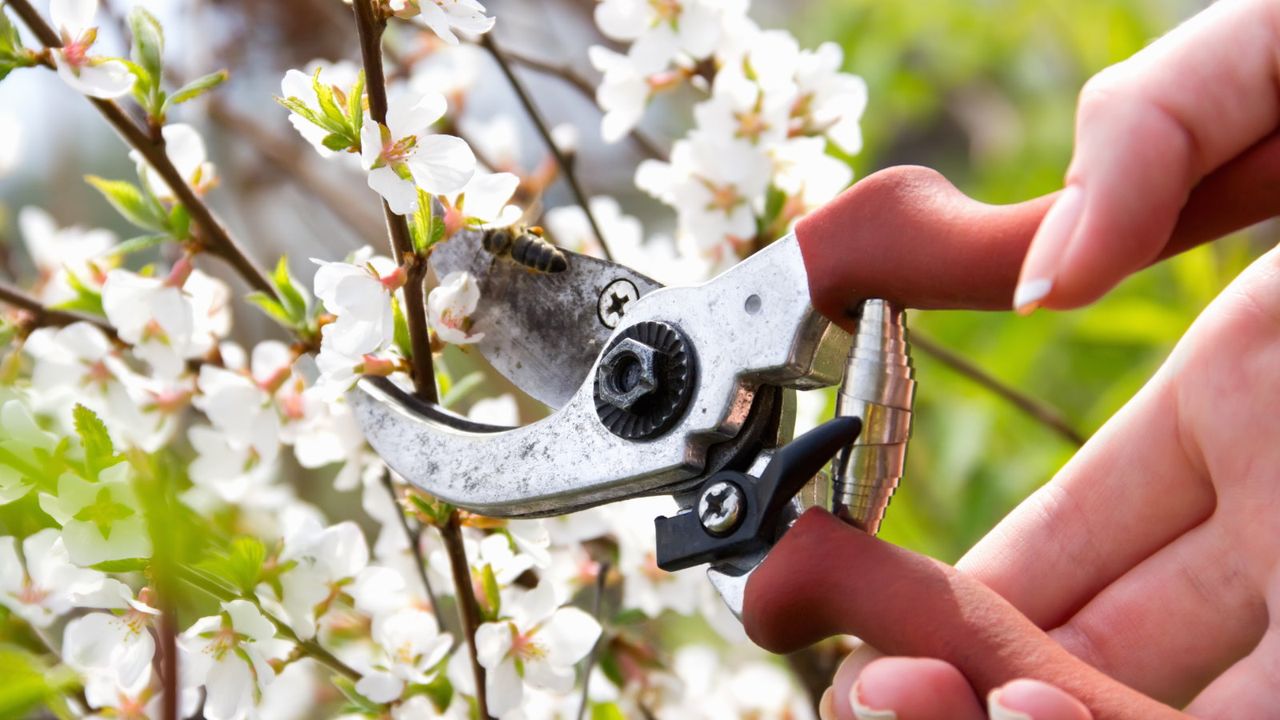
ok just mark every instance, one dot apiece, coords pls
pixel 291 160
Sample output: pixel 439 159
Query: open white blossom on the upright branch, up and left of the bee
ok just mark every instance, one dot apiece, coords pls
pixel 403 157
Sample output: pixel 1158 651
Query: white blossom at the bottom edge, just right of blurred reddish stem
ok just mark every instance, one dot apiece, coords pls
pixel 228 655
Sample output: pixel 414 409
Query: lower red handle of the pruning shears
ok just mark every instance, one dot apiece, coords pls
pixel 829 578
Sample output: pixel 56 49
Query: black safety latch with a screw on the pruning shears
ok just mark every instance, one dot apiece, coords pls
pixel 738 514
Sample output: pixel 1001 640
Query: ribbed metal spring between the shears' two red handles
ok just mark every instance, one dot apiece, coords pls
pixel 879 388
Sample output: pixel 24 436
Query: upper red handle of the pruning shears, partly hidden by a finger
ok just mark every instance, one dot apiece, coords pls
pixel 908 235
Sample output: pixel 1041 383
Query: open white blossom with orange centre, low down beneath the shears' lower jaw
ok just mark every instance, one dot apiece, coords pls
pixel 538 646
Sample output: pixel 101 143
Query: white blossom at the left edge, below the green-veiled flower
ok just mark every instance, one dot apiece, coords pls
pixel 45 586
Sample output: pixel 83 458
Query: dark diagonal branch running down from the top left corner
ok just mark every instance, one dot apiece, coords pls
pixel 216 238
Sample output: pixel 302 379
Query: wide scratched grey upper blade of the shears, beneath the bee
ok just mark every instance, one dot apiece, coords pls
pixel 542 331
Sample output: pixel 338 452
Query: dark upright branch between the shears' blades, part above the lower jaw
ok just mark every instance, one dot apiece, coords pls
pixel 371 28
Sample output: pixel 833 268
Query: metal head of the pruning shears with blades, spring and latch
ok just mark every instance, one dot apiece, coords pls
pixel 683 391
